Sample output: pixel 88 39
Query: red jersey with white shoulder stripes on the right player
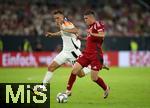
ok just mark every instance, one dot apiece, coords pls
pixel 93 44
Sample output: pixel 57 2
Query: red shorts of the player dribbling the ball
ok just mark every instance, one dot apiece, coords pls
pixel 94 60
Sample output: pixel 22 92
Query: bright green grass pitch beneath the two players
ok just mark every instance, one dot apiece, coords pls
pixel 130 87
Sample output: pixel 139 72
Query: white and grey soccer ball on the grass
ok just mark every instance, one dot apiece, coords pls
pixel 62 98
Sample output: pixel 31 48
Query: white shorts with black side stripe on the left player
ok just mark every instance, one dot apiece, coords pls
pixel 67 56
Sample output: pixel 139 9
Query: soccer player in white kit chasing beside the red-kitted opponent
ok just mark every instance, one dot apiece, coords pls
pixel 71 47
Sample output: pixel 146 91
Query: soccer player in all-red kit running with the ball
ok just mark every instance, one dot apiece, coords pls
pixel 92 54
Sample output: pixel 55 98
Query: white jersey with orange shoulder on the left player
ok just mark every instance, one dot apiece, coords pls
pixel 70 41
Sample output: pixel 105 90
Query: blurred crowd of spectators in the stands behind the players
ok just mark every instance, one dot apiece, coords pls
pixel 33 17
